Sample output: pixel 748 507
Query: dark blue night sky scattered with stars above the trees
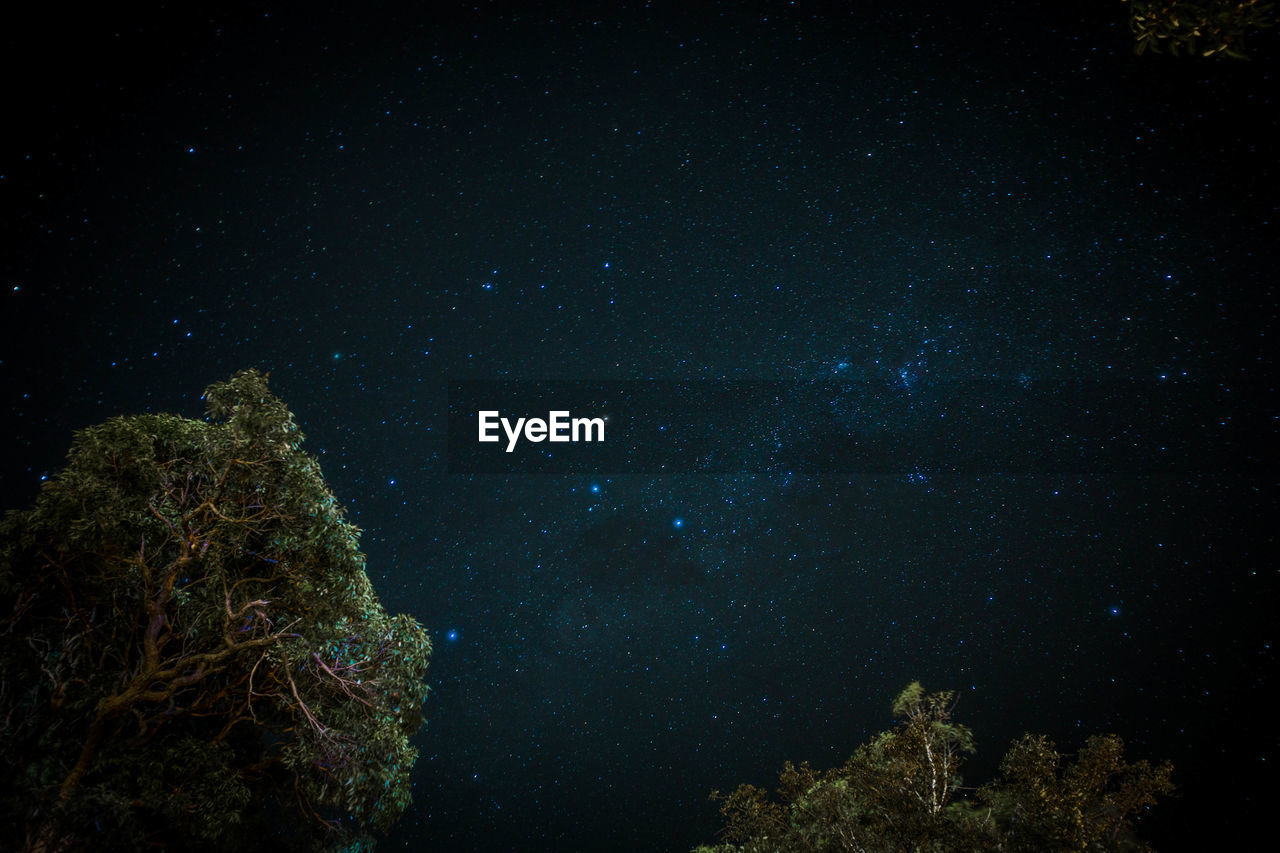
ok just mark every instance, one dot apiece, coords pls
pixel 996 232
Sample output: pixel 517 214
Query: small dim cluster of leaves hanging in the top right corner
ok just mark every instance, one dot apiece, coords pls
pixel 1197 28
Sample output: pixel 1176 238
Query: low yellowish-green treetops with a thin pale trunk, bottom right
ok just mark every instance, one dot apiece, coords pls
pixel 899 793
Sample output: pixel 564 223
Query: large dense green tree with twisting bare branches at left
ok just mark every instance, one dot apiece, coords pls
pixel 191 649
